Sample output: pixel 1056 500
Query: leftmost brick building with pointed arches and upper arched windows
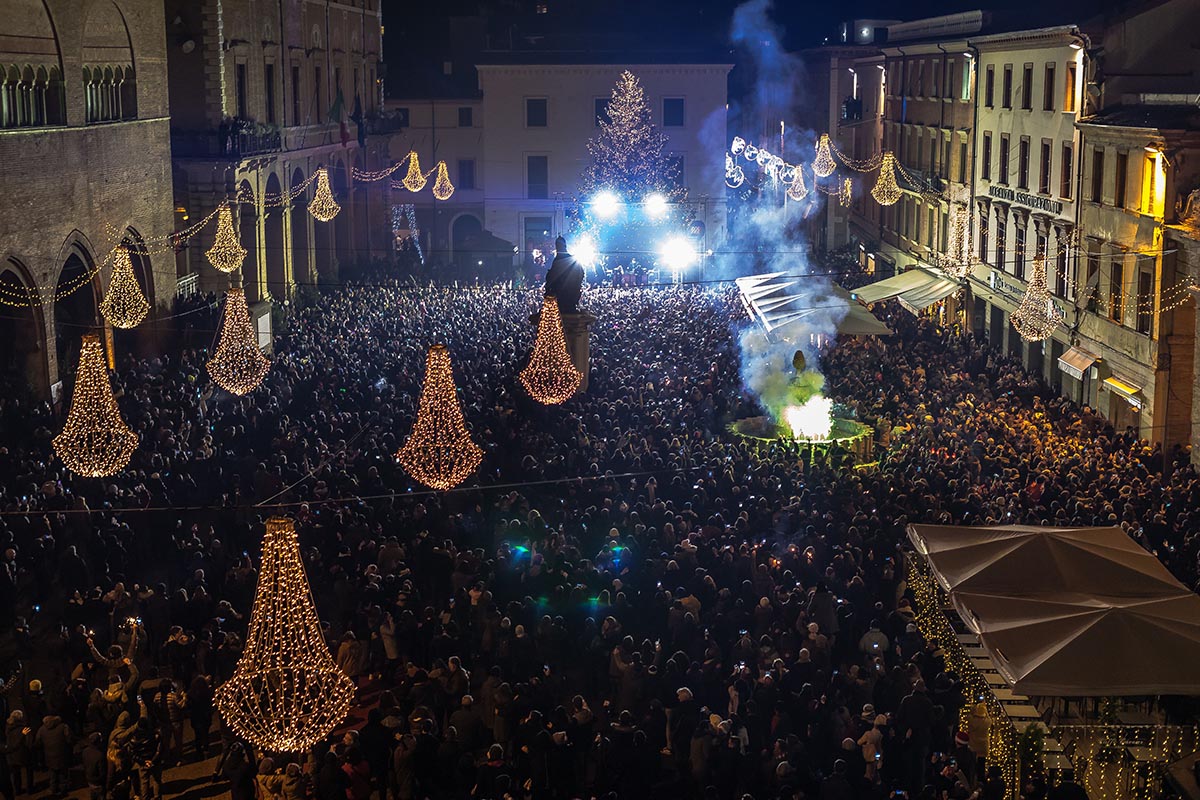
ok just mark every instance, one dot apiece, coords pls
pixel 85 165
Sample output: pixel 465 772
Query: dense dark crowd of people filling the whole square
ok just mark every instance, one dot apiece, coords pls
pixel 625 601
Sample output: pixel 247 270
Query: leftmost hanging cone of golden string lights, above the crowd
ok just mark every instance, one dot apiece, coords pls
pixel 95 442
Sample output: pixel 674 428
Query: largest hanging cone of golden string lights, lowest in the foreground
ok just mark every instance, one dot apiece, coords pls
pixel 286 694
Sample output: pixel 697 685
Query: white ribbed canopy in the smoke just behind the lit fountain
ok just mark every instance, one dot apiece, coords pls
pixel 777 302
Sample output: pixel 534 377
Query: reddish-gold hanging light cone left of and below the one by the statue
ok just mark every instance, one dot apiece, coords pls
pixel 440 453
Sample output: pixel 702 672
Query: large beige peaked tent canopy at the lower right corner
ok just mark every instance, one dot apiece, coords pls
pixel 1061 610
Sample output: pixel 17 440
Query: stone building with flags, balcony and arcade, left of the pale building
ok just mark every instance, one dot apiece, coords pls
pixel 262 95
